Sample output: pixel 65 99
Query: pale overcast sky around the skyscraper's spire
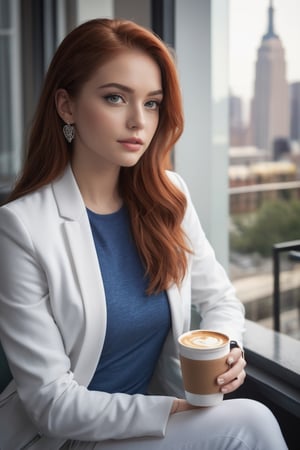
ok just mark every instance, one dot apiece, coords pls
pixel 247 24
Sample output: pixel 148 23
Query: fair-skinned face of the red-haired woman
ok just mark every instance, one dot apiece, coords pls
pixel 117 111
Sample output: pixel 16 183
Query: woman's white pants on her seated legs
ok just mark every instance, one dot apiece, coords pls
pixel 238 424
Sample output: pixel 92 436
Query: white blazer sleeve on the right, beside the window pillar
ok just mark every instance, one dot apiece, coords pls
pixel 212 293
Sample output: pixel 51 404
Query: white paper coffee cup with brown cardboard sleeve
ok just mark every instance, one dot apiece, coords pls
pixel 203 357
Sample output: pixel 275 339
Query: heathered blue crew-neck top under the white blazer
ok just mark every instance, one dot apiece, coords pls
pixel 137 324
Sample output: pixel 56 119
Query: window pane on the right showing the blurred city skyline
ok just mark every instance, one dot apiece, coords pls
pixel 265 157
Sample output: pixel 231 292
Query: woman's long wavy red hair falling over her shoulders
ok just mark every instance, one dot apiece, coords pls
pixel 156 206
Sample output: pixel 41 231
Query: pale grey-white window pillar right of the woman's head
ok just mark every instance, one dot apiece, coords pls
pixel 201 156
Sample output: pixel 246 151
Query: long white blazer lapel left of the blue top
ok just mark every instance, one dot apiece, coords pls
pixel 86 268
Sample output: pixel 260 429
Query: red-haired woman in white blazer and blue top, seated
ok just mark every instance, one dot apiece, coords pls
pixel 104 255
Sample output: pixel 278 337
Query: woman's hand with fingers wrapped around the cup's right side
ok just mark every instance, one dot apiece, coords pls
pixel 235 376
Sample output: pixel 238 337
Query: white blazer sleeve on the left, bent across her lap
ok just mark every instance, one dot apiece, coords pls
pixel 51 397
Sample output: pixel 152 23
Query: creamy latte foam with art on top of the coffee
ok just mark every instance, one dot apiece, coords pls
pixel 203 339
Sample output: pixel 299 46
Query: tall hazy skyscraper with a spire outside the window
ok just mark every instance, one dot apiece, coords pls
pixel 270 113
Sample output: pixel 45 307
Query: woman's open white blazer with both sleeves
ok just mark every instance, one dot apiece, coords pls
pixel 53 324
